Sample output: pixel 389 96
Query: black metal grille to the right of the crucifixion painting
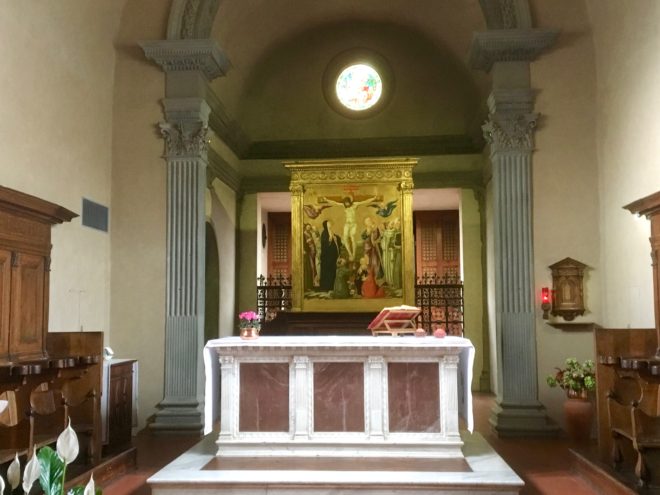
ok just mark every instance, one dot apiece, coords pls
pixel 441 302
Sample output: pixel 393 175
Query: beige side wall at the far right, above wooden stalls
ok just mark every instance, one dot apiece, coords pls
pixel 626 39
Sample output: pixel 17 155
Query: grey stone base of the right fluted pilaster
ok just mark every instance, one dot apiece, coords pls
pixel 518 420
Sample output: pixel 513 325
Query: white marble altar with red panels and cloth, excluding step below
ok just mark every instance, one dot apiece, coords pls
pixel 331 396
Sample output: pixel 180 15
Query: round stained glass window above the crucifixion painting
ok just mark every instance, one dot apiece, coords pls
pixel 359 87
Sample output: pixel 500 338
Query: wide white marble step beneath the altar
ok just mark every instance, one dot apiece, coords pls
pixel 199 471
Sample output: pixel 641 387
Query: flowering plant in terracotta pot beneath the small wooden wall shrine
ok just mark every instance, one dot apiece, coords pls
pixel 577 380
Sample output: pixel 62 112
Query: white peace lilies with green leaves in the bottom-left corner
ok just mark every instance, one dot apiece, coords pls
pixel 49 467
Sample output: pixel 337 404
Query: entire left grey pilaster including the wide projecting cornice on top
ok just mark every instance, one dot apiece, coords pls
pixel 189 66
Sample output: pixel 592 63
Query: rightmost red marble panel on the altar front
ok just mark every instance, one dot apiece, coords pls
pixel 413 397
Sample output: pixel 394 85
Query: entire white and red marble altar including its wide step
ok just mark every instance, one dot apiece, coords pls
pixel 356 415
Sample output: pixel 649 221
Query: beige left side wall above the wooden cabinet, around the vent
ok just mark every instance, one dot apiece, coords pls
pixel 56 83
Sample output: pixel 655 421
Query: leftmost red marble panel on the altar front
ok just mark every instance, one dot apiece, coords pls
pixel 264 397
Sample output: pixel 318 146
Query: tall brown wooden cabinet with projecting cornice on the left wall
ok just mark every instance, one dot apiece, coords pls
pixel 25 225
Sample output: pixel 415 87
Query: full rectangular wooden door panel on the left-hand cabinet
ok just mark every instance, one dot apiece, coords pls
pixel 27 316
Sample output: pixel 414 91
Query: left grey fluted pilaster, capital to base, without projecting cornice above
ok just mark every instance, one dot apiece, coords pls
pixel 185 134
